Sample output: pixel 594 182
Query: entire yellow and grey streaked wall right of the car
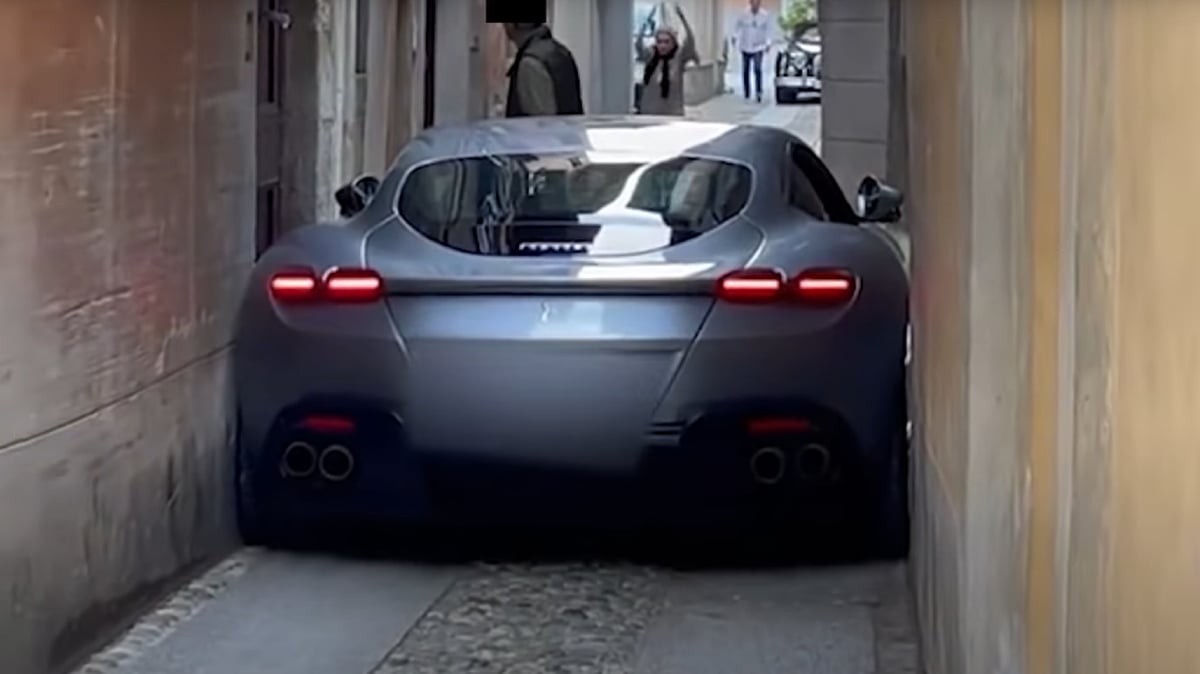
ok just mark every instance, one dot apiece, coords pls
pixel 1054 160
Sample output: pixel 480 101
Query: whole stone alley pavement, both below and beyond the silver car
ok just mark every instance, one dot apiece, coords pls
pixel 275 613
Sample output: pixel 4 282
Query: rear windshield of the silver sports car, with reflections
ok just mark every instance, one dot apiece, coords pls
pixel 571 204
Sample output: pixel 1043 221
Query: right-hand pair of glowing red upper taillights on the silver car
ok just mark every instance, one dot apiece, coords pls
pixel 811 287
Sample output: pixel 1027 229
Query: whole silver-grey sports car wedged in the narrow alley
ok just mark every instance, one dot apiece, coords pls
pixel 581 321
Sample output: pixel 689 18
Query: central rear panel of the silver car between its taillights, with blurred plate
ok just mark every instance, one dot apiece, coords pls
pixel 585 374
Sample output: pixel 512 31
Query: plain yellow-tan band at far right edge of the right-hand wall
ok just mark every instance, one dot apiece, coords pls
pixel 1154 510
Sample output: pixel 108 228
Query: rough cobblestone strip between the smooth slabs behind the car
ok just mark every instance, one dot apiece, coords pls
pixel 583 619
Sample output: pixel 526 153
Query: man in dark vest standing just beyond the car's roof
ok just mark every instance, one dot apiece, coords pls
pixel 544 79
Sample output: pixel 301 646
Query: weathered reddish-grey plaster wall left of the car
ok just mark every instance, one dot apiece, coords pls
pixel 127 151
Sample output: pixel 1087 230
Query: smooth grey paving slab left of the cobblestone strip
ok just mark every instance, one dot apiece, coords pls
pixel 284 615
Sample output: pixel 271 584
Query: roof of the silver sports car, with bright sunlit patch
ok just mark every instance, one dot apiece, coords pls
pixel 635 137
